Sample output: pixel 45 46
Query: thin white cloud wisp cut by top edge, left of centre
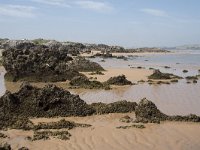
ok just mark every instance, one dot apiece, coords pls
pixel 60 3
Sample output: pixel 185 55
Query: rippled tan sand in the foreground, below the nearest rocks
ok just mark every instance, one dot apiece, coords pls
pixel 104 135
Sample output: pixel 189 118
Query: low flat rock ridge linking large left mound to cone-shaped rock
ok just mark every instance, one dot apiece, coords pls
pixel 116 107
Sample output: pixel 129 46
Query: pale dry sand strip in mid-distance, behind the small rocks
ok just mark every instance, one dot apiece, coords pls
pixel 132 74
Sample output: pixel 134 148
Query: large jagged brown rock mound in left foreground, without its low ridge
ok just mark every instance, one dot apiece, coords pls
pixel 49 101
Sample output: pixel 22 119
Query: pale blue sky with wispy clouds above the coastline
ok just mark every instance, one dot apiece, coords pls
pixel 128 23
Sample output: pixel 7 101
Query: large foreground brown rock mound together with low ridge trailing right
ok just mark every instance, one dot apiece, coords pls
pixel 49 101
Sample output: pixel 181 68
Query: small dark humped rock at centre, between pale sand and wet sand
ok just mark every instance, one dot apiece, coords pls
pixel 119 80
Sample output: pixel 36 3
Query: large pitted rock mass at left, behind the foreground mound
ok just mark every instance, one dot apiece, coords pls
pixel 26 61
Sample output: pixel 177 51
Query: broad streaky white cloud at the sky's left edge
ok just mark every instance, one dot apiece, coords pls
pixel 17 11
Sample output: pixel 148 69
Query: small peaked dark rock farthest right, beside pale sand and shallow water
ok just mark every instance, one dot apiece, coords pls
pixel 157 75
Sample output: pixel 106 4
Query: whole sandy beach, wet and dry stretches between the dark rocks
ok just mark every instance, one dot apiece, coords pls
pixel 103 133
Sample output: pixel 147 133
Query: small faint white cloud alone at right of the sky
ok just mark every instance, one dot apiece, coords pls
pixel 155 12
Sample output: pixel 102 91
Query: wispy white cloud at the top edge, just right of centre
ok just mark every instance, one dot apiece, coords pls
pixel 94 5
